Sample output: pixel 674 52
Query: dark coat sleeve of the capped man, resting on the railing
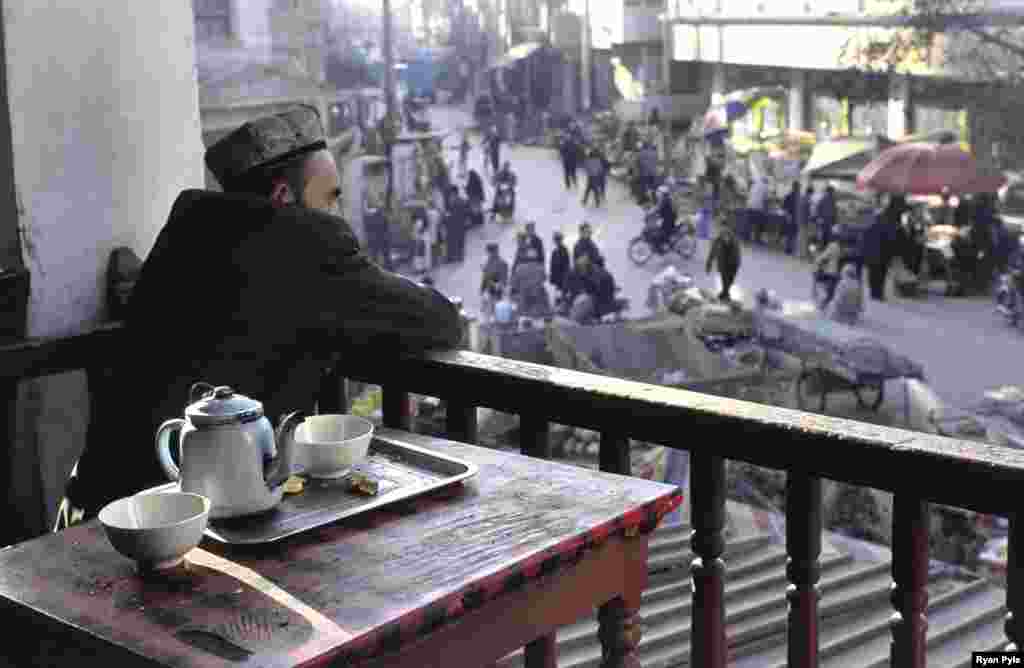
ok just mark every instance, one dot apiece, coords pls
pixel 307 274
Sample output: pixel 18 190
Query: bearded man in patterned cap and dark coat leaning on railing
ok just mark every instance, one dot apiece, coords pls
pixel 261 288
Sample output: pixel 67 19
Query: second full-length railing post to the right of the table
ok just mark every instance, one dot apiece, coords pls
pixel 803 544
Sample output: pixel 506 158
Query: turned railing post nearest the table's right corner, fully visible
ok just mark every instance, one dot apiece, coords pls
pixel 708 569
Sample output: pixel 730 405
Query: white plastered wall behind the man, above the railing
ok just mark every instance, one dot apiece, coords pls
pixel 105 116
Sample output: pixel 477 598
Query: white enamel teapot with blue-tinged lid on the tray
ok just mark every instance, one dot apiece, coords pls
pixel 228 451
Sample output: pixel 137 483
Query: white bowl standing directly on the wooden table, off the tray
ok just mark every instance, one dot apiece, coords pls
pixel 156 530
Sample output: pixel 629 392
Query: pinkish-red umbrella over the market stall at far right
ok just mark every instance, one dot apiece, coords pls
pixel 920 169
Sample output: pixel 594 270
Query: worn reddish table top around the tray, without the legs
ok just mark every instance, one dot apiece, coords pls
pixel 348 591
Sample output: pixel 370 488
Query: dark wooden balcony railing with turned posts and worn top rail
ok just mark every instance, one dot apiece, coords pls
pixel 919 469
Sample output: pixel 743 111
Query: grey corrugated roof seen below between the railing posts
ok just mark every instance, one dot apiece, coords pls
pixel 855 611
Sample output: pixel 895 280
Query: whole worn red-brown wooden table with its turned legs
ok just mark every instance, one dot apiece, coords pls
pixel 459 579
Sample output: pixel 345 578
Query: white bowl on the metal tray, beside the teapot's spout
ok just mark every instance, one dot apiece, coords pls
pixel 328 446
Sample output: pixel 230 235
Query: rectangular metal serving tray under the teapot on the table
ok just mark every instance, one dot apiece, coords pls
pixel 404 471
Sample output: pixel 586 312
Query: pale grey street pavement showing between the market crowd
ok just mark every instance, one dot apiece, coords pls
pixel 964 348
